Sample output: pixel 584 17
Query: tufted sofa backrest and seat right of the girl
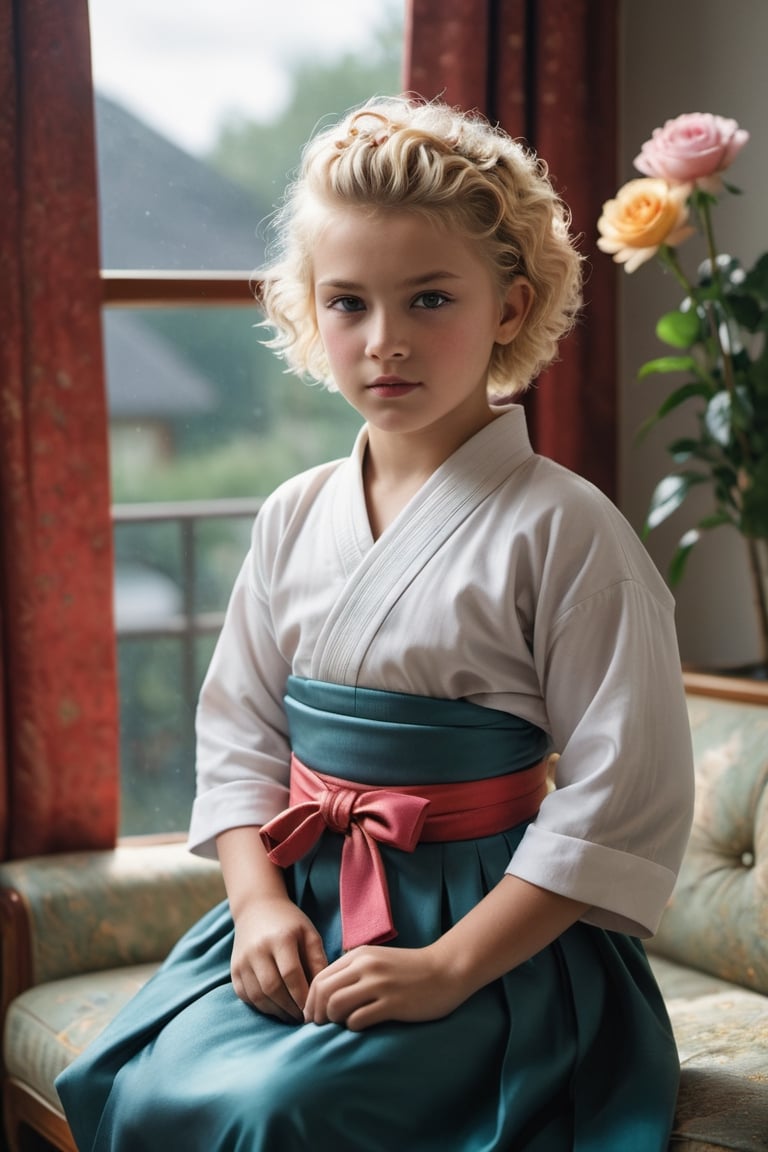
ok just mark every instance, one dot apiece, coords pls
pixel 711 953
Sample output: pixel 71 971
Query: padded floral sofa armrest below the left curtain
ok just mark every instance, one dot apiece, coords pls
pixel 86 912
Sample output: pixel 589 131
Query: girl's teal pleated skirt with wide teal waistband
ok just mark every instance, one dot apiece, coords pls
pixel 571 1051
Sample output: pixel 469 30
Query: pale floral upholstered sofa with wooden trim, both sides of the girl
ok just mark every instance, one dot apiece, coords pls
pixel 82 933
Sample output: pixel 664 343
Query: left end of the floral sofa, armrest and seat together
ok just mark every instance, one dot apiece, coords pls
pixel 82 933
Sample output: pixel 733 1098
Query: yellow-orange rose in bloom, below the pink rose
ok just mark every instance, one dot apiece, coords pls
pixel 645 215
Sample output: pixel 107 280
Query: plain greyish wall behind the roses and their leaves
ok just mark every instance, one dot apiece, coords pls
pixel 690 56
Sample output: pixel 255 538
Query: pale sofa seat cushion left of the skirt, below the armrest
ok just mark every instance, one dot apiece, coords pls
pixel 49 1026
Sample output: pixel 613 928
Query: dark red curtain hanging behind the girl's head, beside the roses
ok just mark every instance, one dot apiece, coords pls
pixel 546 71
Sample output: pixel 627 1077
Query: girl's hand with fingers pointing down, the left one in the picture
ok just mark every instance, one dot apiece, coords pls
pixel 277 954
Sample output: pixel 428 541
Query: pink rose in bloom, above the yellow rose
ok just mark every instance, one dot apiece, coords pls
pixel 693 148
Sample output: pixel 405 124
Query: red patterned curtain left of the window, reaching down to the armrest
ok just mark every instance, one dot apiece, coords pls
pixel 58 684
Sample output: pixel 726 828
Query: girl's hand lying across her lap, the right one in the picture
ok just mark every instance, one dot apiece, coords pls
pixel 370 986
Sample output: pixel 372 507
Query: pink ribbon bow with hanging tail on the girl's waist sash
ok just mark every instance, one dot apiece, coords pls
pixel 366 817
